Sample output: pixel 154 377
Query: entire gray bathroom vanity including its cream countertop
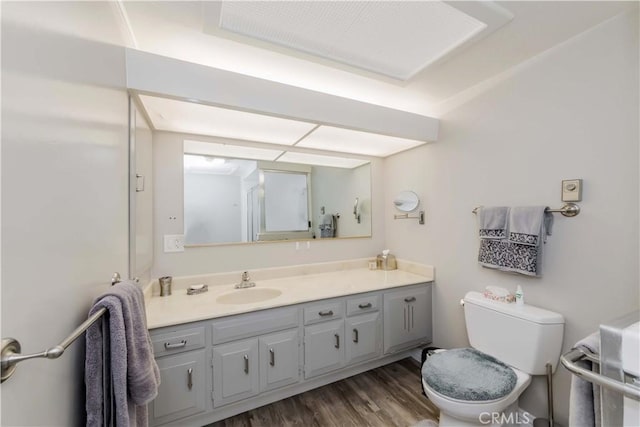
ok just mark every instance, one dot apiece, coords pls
pixel 220 359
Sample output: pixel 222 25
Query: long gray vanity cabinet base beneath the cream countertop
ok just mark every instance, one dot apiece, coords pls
pixel 214 369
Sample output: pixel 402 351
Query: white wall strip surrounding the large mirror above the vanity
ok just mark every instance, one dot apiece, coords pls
pixel 169 219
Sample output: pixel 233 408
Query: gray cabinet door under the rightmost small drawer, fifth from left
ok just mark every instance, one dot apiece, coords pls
pixel 363 337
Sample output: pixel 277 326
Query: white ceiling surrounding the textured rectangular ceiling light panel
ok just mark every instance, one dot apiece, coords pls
pixel 182 30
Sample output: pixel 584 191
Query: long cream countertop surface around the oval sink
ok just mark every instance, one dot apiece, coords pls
pixel 181 308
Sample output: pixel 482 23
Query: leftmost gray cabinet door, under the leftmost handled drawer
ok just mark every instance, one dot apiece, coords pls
pixel 182 389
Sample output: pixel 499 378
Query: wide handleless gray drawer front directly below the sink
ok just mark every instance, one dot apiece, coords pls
pixel 252 324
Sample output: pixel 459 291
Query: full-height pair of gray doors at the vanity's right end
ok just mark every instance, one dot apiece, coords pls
pixel 407 318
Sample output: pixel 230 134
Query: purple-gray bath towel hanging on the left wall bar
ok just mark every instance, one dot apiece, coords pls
pixel 134 373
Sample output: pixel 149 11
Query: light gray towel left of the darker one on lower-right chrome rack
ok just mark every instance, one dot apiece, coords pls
pixel 584 400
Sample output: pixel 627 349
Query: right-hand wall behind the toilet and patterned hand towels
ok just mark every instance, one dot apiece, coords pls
pixel 570 113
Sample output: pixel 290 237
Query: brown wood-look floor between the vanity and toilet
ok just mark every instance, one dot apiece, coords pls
pixel 387 396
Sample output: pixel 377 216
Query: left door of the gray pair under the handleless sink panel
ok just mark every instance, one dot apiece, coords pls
pixel 235 371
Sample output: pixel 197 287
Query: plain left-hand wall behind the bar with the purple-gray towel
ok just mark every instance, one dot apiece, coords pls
pixel 64 194
